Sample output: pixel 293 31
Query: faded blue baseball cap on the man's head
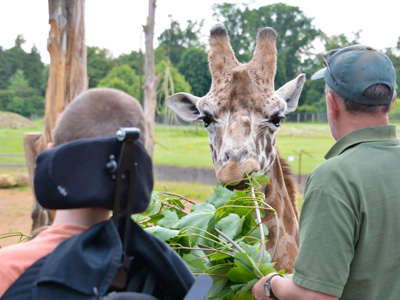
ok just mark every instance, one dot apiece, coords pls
pixel 351 70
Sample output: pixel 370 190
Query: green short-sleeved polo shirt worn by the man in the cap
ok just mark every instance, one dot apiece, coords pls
pixel 350 220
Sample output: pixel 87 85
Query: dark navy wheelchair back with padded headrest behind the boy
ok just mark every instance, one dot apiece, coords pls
pixel 115 259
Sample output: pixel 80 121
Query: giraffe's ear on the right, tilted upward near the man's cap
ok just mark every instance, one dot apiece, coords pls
pixel 290 92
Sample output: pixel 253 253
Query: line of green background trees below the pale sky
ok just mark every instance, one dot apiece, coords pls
pixel 182 59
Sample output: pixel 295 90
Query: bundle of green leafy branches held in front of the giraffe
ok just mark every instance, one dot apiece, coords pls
pixel 220 237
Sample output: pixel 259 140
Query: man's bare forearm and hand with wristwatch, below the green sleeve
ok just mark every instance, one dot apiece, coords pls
pixel 286 289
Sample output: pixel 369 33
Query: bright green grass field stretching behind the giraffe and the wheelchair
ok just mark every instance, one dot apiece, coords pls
pixel 188 146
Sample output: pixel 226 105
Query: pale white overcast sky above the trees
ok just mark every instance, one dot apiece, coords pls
pixel 117 24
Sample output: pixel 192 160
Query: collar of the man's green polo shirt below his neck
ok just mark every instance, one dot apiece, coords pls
pixel 368 134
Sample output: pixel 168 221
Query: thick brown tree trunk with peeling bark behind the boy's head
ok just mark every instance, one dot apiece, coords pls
pixel 67 79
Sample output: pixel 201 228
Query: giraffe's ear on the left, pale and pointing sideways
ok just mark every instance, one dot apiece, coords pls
pixel 185 106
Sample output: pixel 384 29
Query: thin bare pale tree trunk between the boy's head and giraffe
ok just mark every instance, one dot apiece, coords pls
pixel 151 81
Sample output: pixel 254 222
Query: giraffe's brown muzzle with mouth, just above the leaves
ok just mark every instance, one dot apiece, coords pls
pixel 234 173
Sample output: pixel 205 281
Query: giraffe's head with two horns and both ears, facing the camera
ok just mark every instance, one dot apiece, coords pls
pixel 242 111
